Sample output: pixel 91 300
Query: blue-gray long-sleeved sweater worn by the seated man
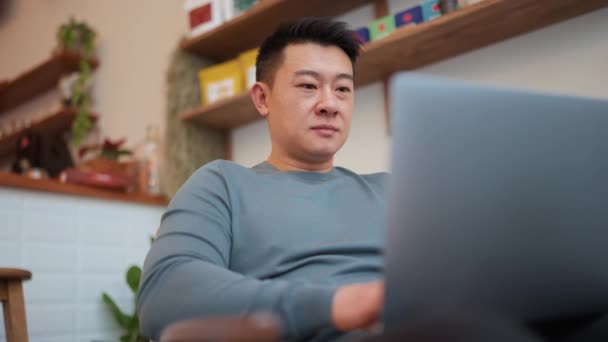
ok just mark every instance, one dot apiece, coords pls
pixel 240 240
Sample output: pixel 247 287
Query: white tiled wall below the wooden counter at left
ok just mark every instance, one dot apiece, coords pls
pixel 76 248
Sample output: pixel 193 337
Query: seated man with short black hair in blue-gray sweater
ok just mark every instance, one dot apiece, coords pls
pixel 294 235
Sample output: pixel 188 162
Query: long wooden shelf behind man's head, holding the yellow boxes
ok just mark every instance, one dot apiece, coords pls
pixel 408 48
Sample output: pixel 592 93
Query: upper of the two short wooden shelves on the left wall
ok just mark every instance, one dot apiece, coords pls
pixel 41 78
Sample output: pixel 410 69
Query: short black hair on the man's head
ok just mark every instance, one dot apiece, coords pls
pixel 322 31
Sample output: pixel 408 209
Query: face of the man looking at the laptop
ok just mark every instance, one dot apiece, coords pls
pixel 310 103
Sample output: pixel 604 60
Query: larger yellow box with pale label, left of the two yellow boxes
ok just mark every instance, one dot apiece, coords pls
pixel 221 81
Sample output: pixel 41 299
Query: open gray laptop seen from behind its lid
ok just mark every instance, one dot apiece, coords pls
pixel 498 202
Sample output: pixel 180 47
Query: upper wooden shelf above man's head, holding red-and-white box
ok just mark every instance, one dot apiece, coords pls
pixel 248 30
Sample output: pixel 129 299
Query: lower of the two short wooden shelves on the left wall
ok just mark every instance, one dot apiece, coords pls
pixel 55 123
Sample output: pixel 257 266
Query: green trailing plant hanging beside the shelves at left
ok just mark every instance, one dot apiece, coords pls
pixel 79 37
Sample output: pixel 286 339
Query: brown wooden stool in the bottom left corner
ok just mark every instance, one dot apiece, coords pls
pixel 11 296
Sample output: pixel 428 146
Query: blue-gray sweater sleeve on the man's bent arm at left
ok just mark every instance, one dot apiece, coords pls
pixel 186 273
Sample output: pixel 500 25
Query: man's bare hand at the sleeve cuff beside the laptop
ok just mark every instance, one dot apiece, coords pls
pixel 357 306
